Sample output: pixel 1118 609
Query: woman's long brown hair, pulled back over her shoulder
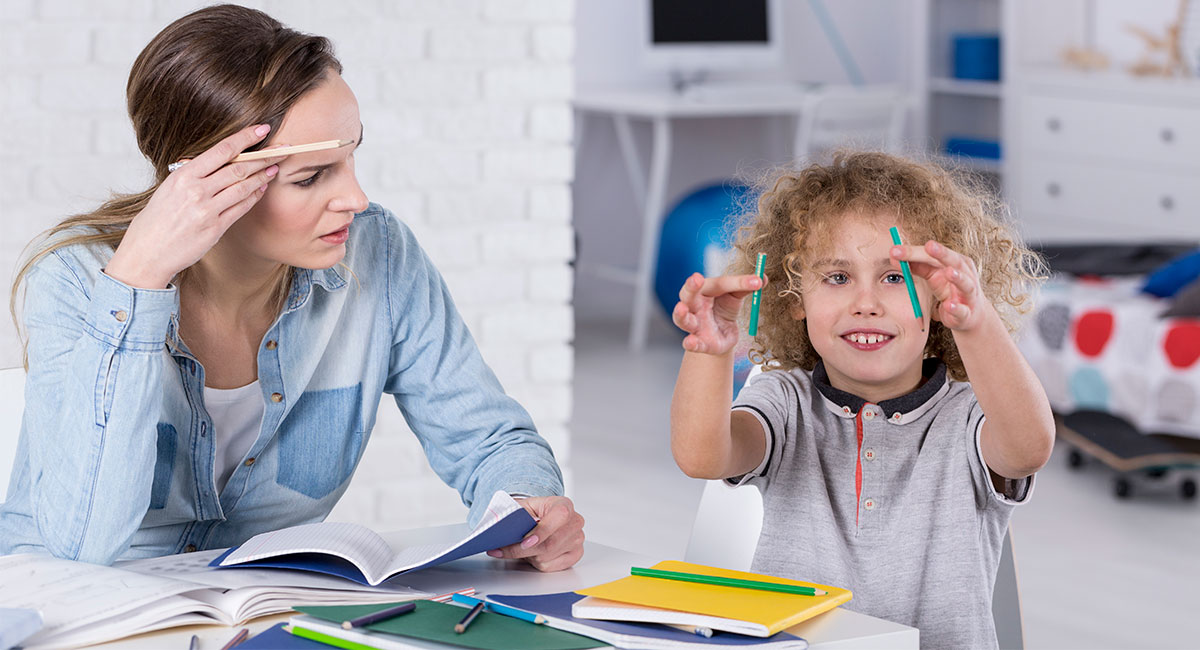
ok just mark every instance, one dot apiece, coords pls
pixel 201 80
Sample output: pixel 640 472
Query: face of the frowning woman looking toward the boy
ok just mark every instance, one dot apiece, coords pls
pixel 303 219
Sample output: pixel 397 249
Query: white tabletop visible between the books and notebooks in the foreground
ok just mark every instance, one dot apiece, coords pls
pixel 838 630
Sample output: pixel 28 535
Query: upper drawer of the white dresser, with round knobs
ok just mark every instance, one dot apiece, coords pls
pixel 1115 131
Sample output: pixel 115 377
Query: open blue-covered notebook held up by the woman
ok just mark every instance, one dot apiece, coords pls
pixel 358 553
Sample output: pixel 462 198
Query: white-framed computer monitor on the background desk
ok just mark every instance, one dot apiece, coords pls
pixel 693 38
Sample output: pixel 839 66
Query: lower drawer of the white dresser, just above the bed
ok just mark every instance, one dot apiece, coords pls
pixel 1143 203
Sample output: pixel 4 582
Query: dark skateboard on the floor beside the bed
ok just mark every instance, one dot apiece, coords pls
pixel 1130 453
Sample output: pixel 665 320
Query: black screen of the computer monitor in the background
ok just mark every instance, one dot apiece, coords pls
pixel 709 21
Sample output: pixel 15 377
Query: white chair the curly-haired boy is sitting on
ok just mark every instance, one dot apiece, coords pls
pixel 727 533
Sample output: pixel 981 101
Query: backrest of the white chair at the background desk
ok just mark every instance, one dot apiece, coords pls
pixel 861 117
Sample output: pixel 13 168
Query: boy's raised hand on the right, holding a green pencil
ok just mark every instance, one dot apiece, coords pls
pixel 955 281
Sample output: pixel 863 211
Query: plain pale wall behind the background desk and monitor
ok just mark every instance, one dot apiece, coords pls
pixel 607 220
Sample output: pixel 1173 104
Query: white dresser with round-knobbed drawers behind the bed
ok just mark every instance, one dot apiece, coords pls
pixel 1103 157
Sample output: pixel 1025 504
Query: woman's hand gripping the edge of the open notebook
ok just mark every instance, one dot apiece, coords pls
pixel 556 543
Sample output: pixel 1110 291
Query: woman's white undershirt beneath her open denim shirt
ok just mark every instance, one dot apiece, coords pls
pixel 237 417
